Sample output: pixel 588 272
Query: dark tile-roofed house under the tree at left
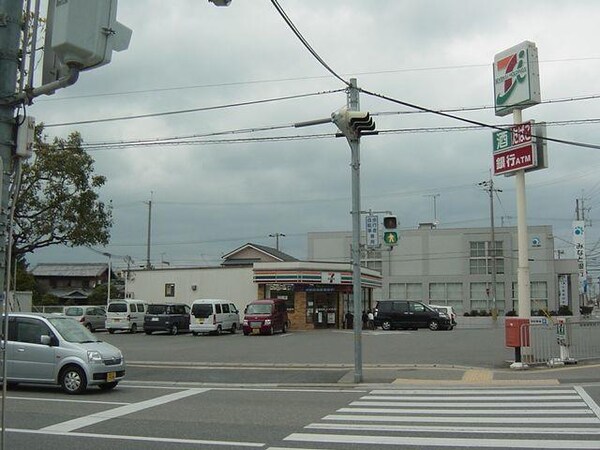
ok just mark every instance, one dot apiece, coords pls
pixel 71 283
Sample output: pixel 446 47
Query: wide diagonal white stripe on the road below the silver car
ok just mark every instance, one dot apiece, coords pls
pixel 95 418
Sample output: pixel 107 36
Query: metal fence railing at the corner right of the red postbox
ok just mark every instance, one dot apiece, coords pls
pixel 565 341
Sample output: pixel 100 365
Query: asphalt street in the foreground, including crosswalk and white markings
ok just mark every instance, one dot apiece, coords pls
pixel 163 417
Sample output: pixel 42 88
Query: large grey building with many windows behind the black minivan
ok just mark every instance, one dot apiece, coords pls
pixel 452 266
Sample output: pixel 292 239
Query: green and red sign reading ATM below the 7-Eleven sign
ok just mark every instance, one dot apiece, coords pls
pixel 514 149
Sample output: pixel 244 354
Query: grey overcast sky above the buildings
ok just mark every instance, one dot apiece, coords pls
pixel 210 198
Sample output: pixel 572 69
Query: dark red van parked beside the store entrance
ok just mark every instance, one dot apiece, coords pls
pixel 266 317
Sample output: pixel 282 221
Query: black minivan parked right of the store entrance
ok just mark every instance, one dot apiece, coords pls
pixel 390 314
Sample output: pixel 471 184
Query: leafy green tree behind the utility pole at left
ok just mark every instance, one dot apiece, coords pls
pixel 58 201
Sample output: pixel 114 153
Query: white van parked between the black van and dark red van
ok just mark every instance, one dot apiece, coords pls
pixel 214 316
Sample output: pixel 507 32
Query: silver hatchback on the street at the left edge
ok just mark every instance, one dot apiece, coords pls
pixel 58 350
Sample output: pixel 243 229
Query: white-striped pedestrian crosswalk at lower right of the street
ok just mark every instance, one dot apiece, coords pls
pixel 549 418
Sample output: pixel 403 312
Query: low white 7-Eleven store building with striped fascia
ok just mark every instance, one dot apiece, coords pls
pixel 317 294
